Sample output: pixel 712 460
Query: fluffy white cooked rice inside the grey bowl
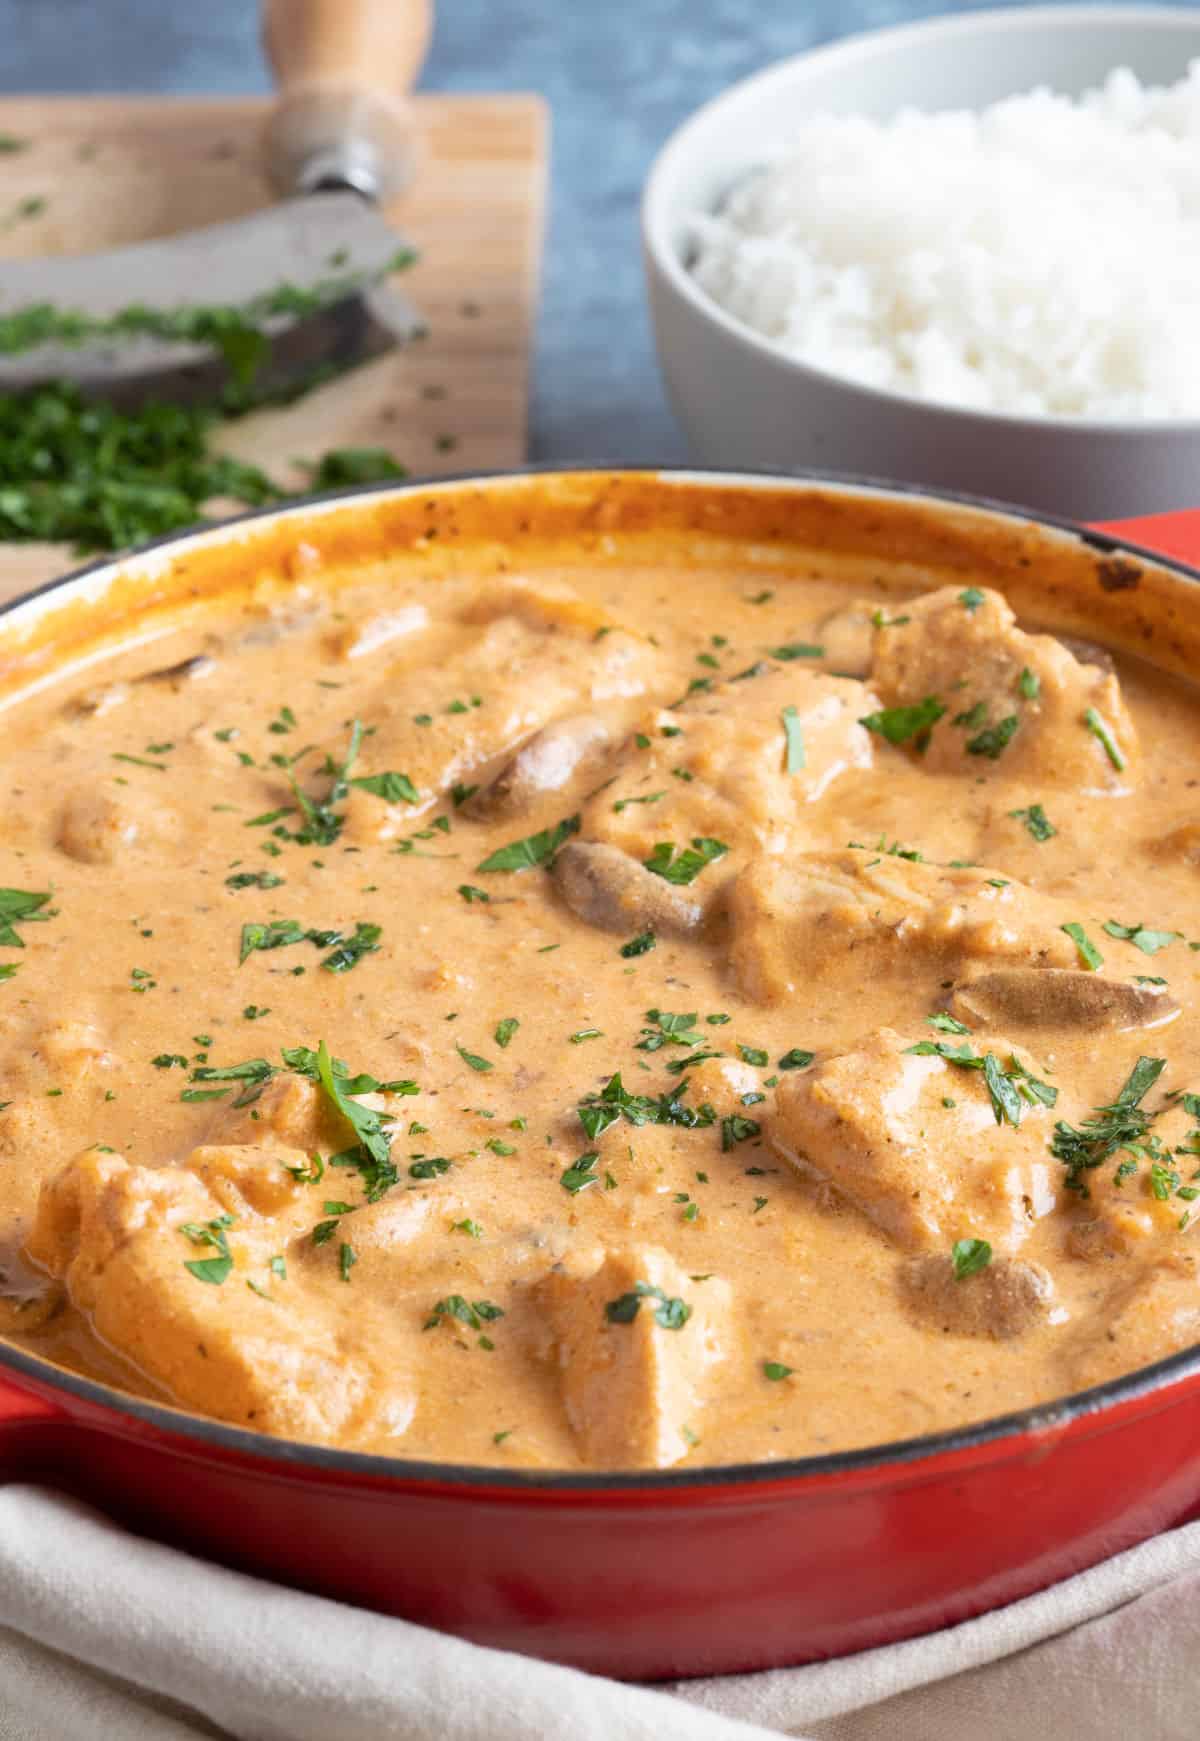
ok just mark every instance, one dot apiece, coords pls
pixel 1039 257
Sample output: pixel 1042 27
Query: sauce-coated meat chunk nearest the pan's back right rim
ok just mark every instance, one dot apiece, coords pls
pixel 1015 702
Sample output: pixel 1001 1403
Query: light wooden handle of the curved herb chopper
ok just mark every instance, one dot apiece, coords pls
pixel 344 72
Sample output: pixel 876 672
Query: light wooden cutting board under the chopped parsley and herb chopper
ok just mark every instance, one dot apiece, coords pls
pixel 123 170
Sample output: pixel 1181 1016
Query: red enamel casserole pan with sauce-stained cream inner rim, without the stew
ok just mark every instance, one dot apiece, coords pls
pixel 698 1571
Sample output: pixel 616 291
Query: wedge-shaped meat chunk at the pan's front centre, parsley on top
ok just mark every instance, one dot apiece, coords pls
pixel 633 1368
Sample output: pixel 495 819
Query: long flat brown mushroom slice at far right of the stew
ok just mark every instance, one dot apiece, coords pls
pixel 1060 998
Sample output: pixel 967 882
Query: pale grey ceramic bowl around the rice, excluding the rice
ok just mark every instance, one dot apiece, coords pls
pixel 745 403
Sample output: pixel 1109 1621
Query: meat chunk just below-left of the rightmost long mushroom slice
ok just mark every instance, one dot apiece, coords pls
pixel 912 1141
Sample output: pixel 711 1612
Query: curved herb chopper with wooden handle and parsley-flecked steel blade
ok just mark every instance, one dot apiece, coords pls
pixel 262 304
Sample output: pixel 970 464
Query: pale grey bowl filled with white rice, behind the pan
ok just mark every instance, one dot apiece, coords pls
pixel 962 253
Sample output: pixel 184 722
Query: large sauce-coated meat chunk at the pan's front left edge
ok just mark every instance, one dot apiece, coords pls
pixel 283 1364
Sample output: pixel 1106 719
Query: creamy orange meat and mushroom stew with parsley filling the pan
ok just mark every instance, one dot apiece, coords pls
pixel 536 1021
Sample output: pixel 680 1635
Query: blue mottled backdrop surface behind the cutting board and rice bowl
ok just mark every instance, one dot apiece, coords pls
pixel 619 76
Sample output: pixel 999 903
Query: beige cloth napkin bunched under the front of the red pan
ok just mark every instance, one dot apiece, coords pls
pixel 105 1637
